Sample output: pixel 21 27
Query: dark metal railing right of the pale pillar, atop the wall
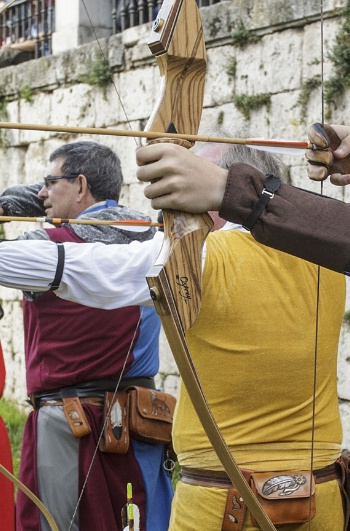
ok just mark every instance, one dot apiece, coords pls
pixel 130 13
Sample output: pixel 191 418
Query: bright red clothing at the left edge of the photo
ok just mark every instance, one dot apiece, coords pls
pixel 7 501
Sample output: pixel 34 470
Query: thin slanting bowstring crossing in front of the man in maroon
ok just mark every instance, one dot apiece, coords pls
pixel 142 308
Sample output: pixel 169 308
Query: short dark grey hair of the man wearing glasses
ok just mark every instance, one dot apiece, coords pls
pixel 100 165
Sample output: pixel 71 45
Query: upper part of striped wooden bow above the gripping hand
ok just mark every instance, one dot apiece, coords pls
pixel 181 60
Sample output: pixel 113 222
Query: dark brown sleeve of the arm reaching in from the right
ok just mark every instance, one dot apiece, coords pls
pixel 295 221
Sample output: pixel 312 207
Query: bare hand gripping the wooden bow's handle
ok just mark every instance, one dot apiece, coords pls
pixel 180 179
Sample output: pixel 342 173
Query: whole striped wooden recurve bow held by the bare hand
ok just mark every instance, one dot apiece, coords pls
pixel 175 280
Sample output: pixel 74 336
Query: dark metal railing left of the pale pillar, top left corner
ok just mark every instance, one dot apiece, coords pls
pixel 27 25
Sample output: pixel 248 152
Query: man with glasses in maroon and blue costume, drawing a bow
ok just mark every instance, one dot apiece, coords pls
pixel 77 353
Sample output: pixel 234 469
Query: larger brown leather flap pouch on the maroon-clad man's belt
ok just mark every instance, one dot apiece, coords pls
pixel 151 415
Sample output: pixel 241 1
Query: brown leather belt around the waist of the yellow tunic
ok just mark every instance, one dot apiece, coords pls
pixel 213 478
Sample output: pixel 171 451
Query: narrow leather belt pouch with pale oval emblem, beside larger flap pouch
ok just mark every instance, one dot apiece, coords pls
pixel 115 438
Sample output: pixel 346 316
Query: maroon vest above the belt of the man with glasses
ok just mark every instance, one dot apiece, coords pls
pixel 67 343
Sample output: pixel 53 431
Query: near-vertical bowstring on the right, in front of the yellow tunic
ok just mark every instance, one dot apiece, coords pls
pixel 318 282
